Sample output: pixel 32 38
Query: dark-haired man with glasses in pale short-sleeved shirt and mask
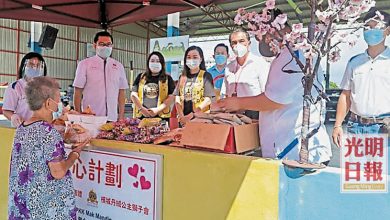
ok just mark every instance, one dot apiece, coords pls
pixel 101 82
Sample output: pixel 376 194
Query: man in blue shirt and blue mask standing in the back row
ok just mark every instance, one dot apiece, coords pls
pixel 221 53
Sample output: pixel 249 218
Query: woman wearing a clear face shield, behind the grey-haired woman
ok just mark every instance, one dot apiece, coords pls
pixel 15 106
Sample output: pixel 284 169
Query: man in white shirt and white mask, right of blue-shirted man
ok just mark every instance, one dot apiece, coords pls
pixel 247 74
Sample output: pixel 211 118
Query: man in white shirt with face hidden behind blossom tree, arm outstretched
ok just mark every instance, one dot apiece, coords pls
pixel 281 111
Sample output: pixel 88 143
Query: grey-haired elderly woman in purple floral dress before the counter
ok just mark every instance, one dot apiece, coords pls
pixel 40 184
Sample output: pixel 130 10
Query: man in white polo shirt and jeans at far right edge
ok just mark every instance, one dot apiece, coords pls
pixel 366 82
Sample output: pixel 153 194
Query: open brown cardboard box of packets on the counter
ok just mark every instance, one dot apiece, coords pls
pixel 221 137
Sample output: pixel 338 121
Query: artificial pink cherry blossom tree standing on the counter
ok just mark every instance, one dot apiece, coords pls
pixel 314 42
